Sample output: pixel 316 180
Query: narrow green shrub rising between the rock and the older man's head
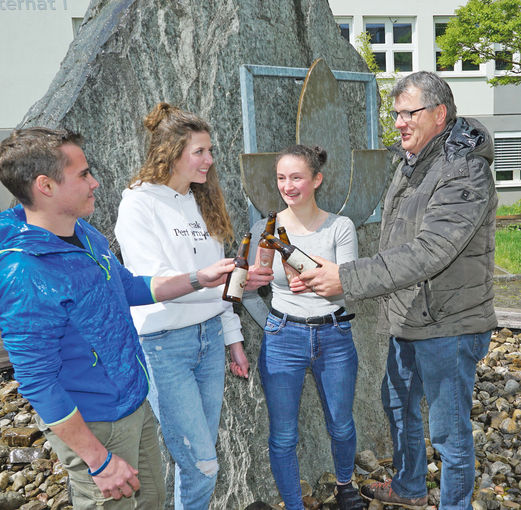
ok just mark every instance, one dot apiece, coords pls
pixel 389 133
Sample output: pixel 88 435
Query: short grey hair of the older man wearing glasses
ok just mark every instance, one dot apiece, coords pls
pixel 434 90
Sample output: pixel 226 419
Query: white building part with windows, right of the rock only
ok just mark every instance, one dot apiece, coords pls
pixel 403 37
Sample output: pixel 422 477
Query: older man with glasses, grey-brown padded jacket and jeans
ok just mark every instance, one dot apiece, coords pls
pixel 434 271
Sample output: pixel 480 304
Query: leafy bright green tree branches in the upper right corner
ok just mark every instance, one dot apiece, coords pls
pixel 475 30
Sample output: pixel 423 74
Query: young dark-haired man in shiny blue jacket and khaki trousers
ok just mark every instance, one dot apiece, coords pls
pixel 66 324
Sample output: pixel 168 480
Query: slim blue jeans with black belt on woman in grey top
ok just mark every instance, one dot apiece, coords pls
pixel 288 349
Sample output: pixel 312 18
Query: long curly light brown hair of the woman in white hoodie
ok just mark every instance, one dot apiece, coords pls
pixel 171 129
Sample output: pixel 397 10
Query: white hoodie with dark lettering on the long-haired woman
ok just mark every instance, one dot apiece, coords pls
pixel 162 233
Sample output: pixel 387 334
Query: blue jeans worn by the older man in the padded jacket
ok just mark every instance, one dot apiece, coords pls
pixel 444 370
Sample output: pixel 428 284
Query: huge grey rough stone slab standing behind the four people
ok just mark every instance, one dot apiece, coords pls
pixel 130 54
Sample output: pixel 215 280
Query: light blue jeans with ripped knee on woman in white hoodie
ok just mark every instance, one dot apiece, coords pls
pixel 186 369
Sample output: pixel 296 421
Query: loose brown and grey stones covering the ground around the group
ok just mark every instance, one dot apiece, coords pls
pixel 32 478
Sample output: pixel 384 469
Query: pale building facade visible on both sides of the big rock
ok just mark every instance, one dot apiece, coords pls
pixel 35 36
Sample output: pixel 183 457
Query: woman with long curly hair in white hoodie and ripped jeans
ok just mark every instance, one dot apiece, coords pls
pixel 173 220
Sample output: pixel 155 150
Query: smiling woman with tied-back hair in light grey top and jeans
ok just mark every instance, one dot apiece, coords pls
pixel 304 330
